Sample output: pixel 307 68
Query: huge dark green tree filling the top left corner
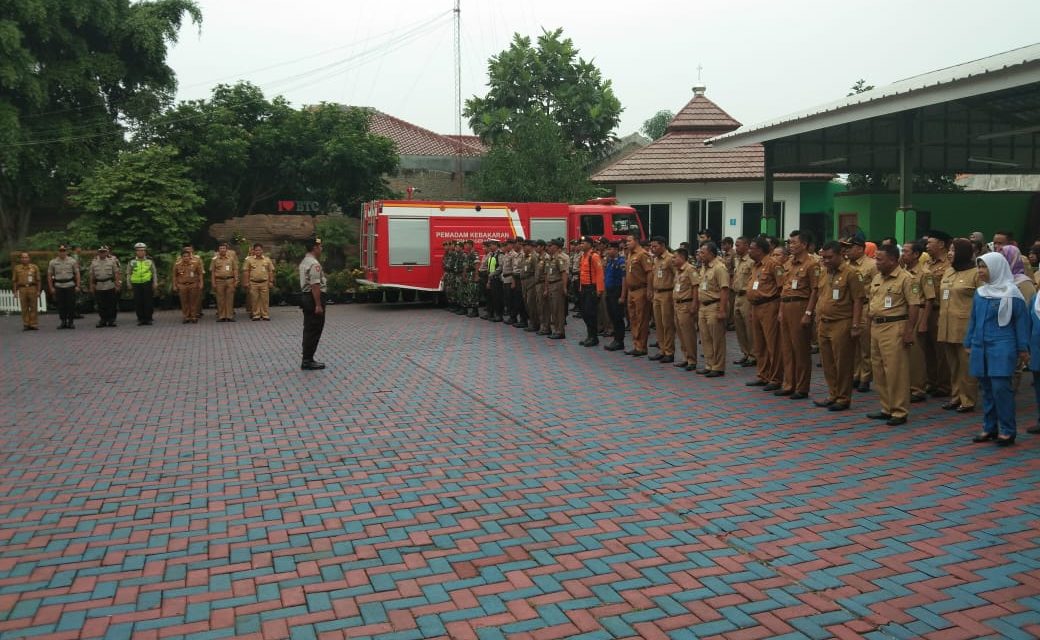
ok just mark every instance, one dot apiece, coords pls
pixel 73 75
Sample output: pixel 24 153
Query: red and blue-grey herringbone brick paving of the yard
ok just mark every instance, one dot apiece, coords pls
pixel 452 478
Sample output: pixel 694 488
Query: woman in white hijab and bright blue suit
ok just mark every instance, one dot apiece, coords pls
pixel 998 343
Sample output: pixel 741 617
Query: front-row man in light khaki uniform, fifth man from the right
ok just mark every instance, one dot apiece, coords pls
pixel 712 301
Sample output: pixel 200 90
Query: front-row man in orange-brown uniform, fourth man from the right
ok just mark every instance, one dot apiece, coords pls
pixel 764 296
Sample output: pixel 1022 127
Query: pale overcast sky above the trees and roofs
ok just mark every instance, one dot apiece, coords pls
pixel 761 60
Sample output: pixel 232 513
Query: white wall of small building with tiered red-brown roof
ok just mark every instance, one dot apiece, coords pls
pixel 733 196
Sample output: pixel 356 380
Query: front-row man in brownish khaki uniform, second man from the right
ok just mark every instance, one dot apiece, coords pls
pixel 840 314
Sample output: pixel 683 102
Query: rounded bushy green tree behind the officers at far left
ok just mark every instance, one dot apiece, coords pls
pixel 143 196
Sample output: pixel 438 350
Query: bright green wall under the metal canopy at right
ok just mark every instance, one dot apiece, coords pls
pixel 958 214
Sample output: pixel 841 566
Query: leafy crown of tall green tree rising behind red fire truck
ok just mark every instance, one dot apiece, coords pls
pixel 551 80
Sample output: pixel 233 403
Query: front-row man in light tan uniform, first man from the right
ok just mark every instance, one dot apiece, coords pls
pixel 895 300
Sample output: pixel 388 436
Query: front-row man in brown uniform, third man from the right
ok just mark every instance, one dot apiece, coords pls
pixel 798 299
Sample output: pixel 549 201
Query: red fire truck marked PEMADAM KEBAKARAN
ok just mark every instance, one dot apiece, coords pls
pixel 402 243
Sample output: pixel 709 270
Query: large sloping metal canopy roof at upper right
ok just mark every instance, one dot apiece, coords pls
pixel 980 117
